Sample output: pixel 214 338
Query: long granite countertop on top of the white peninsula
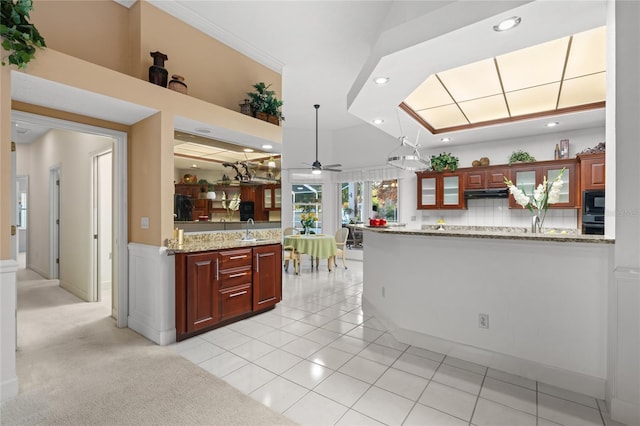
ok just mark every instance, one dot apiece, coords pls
pixel 494 232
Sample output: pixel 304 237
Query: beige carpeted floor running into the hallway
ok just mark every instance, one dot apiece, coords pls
pixel 76 368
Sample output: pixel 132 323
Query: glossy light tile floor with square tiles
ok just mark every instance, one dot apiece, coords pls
pixel 320 360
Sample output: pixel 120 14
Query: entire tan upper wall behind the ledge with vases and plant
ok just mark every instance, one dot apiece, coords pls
pixel 121 39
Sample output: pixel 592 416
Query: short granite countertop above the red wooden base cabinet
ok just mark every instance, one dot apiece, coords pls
pixel 197 242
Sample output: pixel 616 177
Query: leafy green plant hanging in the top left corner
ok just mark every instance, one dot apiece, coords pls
pixel 19 38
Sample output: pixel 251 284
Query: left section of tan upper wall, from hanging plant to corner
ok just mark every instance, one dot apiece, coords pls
pixel 96 31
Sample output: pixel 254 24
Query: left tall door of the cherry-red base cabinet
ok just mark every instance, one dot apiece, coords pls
pixel 202 291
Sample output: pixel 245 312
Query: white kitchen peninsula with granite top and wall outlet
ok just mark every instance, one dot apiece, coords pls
pixel 534 305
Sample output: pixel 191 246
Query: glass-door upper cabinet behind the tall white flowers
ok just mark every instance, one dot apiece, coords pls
pixel 528 176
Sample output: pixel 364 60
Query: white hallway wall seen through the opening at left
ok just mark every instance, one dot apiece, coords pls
pixel 71 152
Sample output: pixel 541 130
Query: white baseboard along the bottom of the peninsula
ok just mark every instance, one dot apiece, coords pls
pixel 570 380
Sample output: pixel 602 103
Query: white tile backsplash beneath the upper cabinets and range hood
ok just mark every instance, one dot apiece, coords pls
pixel 496 212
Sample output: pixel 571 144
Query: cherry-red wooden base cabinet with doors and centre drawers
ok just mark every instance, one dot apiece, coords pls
pixel 218 287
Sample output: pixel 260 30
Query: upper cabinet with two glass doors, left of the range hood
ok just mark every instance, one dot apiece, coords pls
pixel 440 190
